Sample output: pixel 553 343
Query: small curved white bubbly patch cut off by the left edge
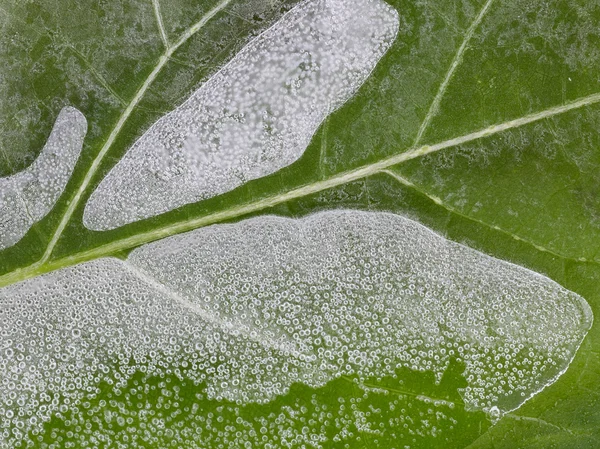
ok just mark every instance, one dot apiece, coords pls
pixel 28 196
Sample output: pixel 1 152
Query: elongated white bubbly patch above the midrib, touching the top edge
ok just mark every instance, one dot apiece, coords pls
pixel 254 117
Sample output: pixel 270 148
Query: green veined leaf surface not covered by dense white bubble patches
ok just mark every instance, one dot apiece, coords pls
pixel 480 122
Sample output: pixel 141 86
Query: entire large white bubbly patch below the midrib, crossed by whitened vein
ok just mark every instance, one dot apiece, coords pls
pixel 253 307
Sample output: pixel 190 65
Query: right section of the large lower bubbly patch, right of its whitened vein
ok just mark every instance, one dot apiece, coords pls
pixel 368 292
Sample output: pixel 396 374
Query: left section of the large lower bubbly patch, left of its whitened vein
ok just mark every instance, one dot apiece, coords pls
pixel 64 333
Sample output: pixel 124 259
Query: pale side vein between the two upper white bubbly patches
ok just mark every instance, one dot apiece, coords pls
pixel 76 199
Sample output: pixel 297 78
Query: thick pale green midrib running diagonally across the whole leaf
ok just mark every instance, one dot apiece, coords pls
pixel 334 181
